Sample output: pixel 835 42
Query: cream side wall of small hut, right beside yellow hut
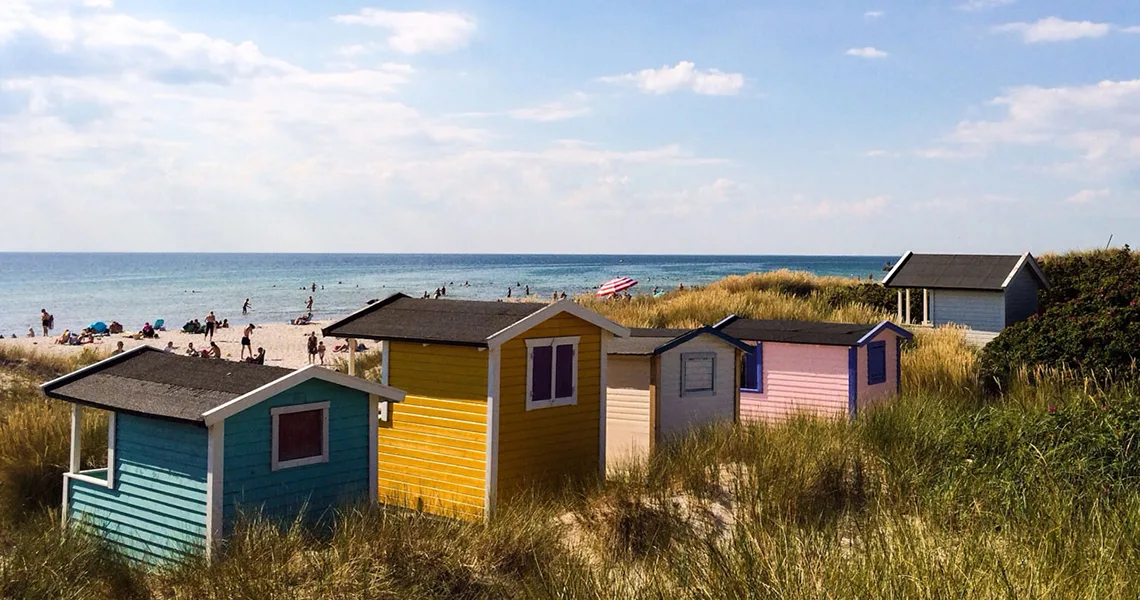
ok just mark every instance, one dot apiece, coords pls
pixel 628 427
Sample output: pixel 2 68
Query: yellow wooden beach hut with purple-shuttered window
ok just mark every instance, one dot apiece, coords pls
pixel 502 398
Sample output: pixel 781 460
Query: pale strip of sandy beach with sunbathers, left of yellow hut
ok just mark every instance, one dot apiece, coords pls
pixel 284 344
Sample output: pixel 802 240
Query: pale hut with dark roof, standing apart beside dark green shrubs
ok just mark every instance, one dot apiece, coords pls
pixel 983 293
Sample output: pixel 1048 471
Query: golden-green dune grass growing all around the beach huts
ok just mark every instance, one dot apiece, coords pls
pixel 949 492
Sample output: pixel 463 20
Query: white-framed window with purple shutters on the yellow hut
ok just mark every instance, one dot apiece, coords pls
pixel 552 372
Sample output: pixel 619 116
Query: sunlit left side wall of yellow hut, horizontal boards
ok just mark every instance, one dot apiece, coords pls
pixel 434 455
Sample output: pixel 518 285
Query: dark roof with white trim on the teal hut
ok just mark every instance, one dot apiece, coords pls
pixel 151 383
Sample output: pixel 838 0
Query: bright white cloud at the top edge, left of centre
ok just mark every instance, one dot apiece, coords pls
pixel 417 31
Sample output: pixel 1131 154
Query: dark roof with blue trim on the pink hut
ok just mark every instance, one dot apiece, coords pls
pixel 804 331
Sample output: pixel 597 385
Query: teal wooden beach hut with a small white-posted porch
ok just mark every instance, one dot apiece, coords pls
pixel 192 443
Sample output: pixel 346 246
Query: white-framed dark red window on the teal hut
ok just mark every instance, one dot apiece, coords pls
pixel 300 435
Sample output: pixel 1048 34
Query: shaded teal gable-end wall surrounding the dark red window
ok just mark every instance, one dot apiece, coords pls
pixel 250 484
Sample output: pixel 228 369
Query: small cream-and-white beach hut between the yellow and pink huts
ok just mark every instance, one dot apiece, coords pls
pixel 665 383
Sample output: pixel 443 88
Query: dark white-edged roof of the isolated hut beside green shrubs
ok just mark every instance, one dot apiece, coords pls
pixel 962 272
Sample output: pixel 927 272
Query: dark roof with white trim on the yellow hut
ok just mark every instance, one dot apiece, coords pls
pixel 477 323
